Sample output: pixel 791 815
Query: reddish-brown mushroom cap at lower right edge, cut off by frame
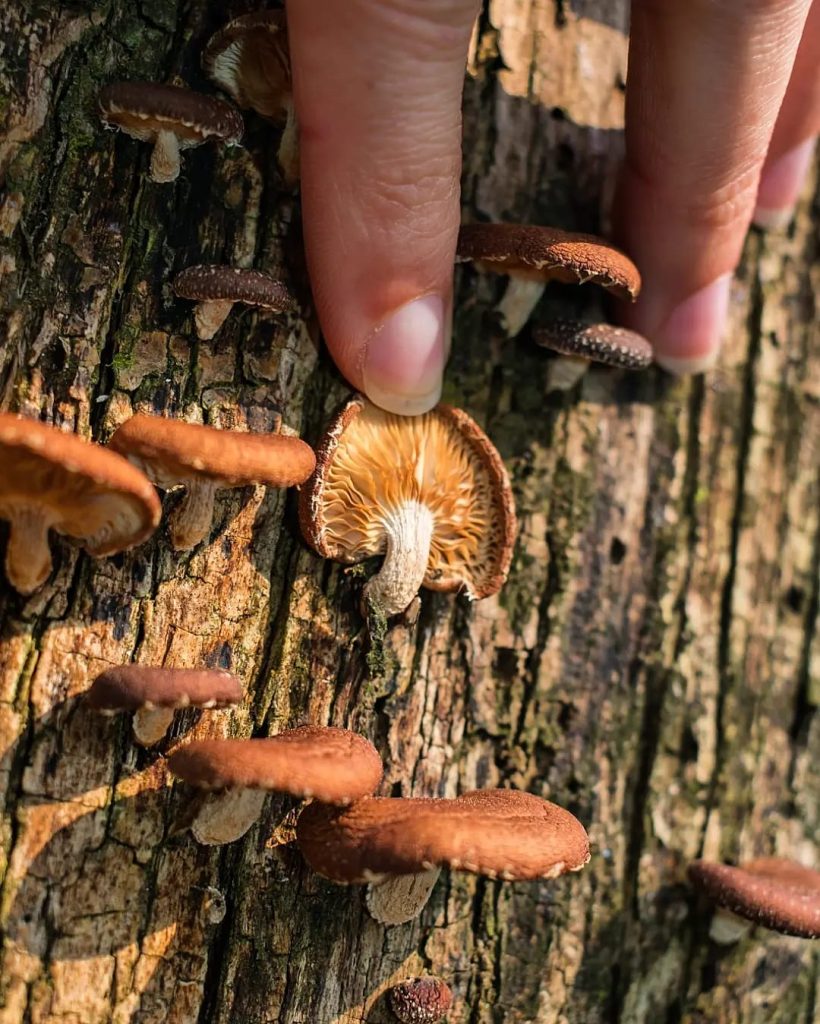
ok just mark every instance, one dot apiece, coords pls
pixel 774 892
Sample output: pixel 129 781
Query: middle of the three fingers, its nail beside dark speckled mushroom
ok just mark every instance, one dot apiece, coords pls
pixel 706 82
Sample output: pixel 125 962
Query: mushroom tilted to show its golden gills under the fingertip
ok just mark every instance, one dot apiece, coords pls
pixel 430 493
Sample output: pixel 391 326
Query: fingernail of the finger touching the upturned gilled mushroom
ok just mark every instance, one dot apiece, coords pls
pixel 405 358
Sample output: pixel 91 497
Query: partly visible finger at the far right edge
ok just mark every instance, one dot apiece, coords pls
pixel 792 150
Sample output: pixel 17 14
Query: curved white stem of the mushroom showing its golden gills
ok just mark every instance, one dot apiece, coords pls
pixel 410 531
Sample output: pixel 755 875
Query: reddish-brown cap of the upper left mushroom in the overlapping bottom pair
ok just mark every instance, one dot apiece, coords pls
pixel 333 765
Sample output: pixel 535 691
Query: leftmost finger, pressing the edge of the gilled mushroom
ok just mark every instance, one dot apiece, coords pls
pixel 378 90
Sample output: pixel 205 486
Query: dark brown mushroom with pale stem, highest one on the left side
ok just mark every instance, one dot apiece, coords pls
pixel 171 118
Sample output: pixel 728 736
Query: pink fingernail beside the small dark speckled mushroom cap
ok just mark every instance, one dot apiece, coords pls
pixel 689 340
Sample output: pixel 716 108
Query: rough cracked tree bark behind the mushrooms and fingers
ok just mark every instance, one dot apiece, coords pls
pixel 653 665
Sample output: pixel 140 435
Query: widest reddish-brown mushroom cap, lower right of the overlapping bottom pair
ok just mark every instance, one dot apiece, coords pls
pixel 498 833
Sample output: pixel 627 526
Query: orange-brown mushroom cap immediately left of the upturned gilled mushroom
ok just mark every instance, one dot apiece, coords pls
pixel 172 452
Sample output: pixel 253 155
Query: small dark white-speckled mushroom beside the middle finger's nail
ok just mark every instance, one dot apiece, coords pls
pixel 581 345
